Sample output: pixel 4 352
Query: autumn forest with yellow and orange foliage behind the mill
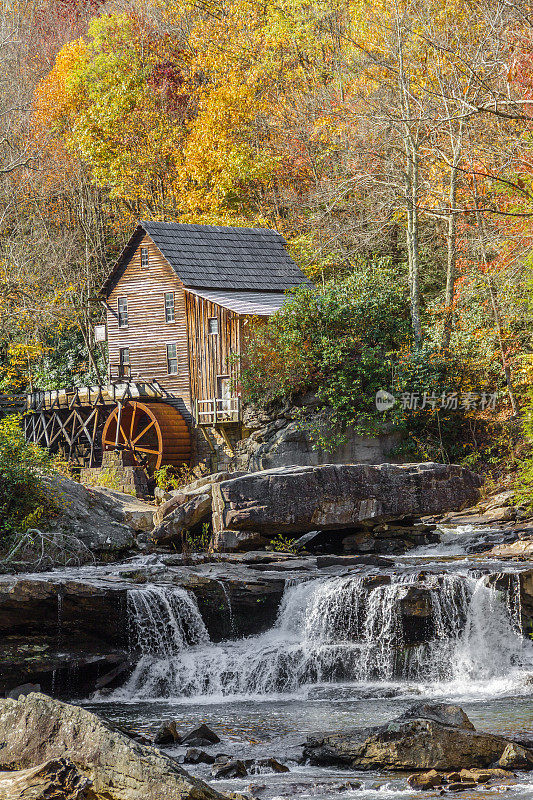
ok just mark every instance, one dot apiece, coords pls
pixel 391 143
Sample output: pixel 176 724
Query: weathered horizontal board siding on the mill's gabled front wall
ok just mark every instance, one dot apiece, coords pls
pixel 148 333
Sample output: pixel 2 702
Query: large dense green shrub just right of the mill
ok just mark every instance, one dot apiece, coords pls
pixel 336 341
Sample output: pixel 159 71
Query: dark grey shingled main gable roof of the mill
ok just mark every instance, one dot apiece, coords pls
pixel 216 257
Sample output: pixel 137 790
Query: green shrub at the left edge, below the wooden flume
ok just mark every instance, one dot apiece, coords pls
pixel 23 502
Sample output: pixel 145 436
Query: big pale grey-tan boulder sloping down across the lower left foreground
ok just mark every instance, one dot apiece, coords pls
pixel 37 729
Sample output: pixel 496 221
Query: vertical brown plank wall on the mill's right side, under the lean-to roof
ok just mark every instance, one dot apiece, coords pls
pixel 210 354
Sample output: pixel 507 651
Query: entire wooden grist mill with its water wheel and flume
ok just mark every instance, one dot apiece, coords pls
pixel 179 304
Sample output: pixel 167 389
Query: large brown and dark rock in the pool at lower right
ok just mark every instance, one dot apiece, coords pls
pixel 411 742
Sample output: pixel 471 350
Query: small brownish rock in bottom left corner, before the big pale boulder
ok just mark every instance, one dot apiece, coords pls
pixel 58 778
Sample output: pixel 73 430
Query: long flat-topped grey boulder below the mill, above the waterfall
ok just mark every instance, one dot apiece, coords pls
pixel 298 499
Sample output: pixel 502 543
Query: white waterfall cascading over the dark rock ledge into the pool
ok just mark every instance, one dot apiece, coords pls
pixel 328 630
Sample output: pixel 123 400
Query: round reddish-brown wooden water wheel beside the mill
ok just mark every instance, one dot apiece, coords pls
pixel 155 434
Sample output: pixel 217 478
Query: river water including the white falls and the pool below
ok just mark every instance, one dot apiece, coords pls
pixel 336 658
